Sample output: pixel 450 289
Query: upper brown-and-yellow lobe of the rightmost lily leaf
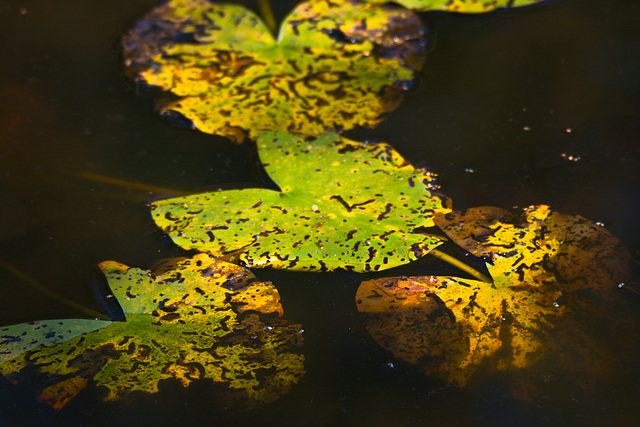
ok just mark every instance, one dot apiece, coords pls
pixel 575 251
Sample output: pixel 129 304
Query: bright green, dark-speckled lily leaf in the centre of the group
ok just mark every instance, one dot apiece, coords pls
pixel 341 204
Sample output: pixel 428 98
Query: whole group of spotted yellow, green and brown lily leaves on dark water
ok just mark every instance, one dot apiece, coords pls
pixel 334 204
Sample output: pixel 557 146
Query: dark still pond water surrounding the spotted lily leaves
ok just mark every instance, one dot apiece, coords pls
pixel 66 109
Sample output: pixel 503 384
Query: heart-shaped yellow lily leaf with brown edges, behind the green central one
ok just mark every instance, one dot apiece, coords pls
pixel 335 64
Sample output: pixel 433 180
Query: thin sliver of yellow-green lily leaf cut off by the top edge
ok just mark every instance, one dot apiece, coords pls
pixel 462 6
